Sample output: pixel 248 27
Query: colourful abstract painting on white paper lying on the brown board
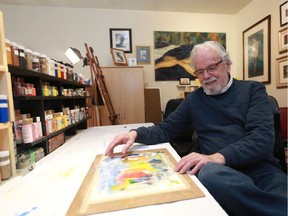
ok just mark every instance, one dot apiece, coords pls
pixel 126 175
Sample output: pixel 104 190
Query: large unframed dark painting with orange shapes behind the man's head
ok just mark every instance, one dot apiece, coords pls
pixel 172 52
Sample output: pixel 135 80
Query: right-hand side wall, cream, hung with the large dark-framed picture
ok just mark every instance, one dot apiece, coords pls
pixel 251 14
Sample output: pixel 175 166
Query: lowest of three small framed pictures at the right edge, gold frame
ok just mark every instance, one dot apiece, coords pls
pixel 282 72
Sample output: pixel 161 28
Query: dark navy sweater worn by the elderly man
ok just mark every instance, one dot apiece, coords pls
pixel 237 123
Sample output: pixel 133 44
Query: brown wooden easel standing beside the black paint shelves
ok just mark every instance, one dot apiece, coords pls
pixel 96 74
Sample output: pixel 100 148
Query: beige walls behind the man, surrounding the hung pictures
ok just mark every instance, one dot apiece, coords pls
pixel 52 30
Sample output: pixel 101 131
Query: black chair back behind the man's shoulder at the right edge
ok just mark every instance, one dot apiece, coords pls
pixel 279 148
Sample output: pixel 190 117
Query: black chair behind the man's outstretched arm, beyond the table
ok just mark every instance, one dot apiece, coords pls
pixel 186 142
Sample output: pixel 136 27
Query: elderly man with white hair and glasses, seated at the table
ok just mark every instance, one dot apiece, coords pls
pixel 235 129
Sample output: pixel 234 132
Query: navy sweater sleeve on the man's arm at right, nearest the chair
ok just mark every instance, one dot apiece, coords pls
pixel 258 142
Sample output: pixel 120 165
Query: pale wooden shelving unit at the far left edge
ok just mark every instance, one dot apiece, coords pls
pixel 6 133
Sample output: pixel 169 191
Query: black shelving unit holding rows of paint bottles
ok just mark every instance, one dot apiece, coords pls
pixel 37 105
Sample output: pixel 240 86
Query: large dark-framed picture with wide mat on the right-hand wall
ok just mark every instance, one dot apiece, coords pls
pixel 256 51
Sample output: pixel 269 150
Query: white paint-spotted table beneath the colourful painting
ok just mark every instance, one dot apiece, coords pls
pixel 51 187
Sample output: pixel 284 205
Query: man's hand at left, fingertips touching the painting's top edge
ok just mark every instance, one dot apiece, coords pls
pixel 126 139
